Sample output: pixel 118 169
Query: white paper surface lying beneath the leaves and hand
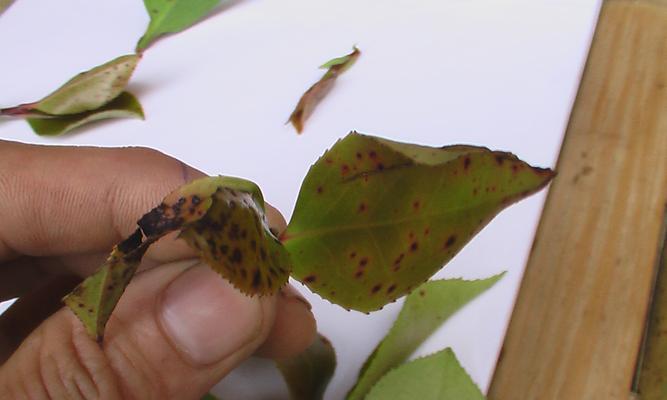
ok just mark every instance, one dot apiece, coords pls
pixel 499 74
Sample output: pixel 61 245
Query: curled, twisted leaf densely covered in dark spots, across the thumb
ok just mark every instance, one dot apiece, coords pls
pixel 221 217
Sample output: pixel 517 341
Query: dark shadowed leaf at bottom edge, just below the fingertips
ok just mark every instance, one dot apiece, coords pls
pixel 308 374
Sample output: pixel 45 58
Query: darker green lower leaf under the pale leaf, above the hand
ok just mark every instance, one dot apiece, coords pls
pixel 123 106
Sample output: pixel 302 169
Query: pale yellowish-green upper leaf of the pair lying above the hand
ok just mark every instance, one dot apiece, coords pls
pixel 90 90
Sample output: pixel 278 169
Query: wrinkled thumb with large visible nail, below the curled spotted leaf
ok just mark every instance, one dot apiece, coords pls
pixel 176 332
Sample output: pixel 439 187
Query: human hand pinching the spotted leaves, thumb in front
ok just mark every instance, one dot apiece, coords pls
pixel 177 330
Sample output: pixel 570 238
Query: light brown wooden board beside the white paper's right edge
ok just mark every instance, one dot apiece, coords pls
pixel 578 323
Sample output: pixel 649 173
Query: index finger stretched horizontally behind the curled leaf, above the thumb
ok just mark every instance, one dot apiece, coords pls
pixel 58 201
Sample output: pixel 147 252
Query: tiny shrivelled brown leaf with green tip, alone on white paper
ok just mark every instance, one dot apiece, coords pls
pixel 319 90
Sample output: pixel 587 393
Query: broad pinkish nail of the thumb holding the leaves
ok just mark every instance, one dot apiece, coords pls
pixel 206 318
